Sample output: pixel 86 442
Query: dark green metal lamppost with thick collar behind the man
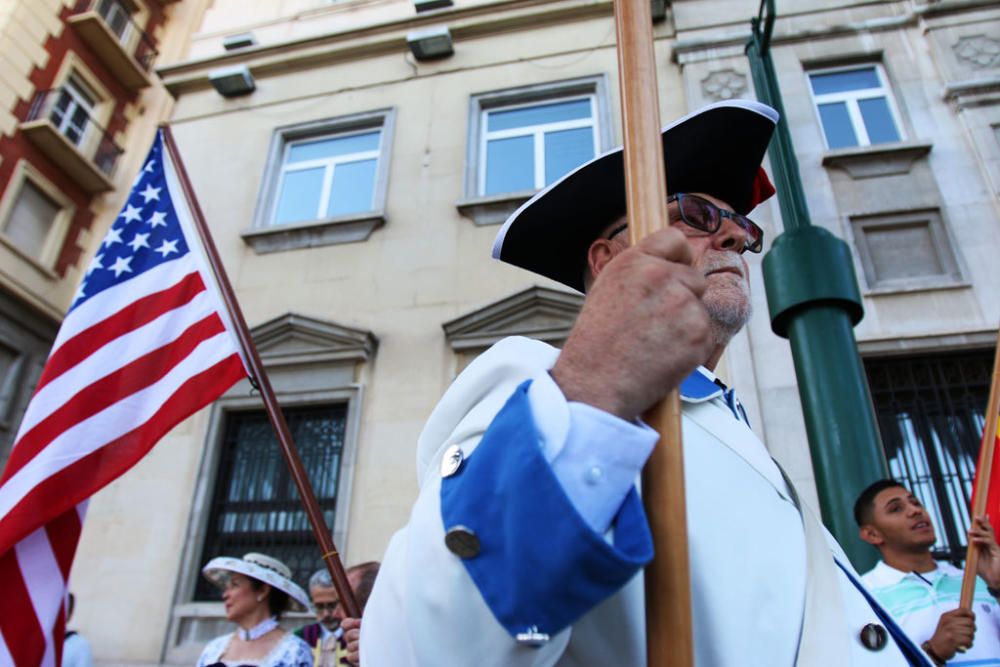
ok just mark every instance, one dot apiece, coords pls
pixel 814 302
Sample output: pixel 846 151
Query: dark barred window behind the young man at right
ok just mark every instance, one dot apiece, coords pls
pixel 930 412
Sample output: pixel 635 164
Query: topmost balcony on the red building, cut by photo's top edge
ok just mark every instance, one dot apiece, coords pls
pixel 108 27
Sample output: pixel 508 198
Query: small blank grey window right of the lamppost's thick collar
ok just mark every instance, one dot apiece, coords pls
pixel 905 250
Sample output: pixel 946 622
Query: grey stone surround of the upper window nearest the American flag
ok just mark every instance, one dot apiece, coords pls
pixel 265 236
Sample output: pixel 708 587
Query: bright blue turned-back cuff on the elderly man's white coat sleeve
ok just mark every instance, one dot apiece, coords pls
pixel 540 566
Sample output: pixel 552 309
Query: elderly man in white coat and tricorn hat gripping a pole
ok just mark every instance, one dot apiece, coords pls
pixel 527 541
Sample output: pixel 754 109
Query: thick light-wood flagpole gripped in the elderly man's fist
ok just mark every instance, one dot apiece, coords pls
pixel 668 587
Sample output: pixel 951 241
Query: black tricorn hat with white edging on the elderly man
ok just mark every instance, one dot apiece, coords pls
pixel 716 150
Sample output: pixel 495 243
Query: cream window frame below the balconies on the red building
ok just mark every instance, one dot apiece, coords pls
pixel 45 262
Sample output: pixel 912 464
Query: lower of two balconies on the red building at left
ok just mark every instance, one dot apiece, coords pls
pixel 64 130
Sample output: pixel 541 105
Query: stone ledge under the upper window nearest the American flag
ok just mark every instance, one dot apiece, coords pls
pixel 334 231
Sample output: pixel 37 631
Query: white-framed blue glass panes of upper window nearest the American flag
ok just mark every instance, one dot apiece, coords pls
pixel 328 176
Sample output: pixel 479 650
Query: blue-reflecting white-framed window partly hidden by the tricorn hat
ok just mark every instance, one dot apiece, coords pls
pixel 527 147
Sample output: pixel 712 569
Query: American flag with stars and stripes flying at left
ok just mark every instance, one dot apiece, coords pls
pixel 145 344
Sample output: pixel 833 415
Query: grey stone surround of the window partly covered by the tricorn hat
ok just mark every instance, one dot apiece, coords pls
pixel 594 87
